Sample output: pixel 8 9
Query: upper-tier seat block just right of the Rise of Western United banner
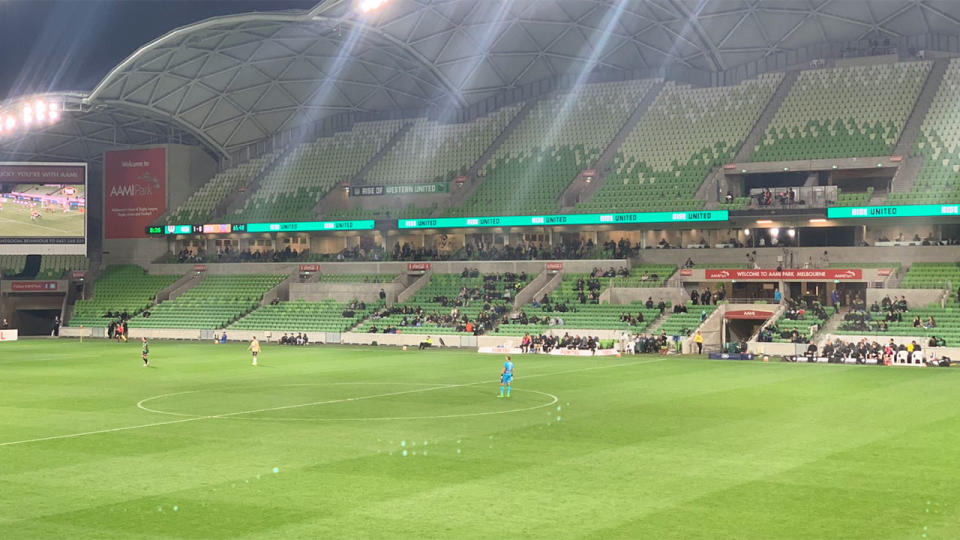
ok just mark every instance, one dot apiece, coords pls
pixel 561 136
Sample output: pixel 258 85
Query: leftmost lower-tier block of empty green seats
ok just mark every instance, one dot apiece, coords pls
pixel 124 288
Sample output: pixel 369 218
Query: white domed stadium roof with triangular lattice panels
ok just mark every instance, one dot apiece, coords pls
pixel 229 81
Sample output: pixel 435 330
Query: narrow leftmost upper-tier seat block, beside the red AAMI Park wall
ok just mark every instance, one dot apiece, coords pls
pixel 199 208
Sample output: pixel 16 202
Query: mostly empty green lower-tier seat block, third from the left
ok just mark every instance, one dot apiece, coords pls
pixel 302 316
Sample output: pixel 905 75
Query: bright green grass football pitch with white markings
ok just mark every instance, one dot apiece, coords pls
pixel 338 442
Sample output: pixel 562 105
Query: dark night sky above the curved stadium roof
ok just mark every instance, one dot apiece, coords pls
pixel 71 44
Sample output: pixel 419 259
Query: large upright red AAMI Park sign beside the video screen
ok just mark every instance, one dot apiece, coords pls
pixel 134 192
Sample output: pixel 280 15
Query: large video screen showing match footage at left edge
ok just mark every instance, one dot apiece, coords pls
pixel 43 208
